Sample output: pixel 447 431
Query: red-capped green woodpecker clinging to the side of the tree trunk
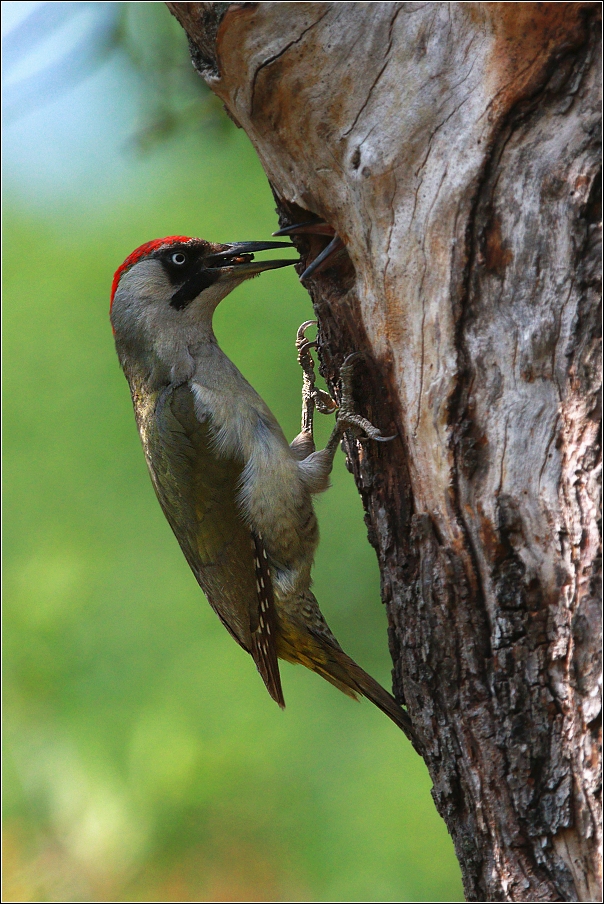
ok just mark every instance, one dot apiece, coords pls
pixel 237 495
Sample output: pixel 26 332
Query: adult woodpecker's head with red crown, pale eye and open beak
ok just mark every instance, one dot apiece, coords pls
pixel 166 291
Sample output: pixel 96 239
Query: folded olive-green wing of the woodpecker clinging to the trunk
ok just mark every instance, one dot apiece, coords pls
pixel 197 490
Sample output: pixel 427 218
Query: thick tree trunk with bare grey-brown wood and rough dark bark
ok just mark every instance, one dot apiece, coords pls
pixel 454 148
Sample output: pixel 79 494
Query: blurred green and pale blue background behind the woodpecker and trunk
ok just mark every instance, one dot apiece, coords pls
pixel 144 759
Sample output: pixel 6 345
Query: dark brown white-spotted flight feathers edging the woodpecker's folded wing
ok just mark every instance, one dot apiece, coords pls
pixel 264 637
